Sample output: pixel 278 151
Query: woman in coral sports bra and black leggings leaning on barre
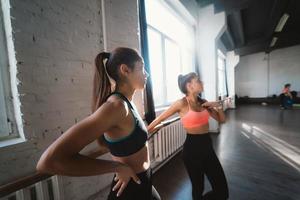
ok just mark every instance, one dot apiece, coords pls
pixel 198 154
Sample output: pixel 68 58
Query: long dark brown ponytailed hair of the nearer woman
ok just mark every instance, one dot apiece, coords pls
pixel 102 85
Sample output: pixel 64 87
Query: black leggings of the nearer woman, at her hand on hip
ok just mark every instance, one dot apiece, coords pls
pixel 134 191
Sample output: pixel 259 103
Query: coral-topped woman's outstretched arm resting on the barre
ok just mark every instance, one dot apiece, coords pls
pixel 174 108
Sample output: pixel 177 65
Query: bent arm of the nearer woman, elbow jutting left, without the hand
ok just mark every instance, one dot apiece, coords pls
pixel 62 157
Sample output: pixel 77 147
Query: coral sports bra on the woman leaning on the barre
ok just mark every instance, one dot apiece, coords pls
pixel 194 119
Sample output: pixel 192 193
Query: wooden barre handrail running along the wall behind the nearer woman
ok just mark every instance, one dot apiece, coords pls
pixel 37 177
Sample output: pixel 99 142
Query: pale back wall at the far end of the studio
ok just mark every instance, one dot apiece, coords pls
pixel 254 77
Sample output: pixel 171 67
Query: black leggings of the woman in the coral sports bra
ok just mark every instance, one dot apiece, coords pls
pixel 200 159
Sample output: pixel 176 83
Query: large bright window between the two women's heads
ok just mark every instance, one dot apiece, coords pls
pixel 171 51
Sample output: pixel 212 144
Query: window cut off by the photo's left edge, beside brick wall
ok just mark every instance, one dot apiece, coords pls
pixel 8 94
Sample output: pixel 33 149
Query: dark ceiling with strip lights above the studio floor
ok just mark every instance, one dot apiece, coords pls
pixel 251 24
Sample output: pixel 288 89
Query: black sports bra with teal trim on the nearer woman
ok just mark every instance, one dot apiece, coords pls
pixel 131 143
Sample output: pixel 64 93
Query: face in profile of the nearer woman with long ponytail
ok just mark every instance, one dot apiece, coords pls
pixel 138 76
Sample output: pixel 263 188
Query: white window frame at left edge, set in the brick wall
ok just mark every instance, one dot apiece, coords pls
pixel 8 72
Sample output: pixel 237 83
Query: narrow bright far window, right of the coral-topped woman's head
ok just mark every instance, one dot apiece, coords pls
pixel 222 82
